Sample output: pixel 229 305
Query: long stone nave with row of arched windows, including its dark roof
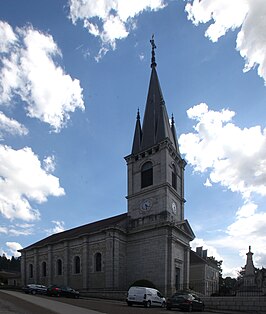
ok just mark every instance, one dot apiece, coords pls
pixel 93 260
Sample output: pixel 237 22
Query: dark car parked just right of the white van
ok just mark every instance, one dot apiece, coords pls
pixel 185 301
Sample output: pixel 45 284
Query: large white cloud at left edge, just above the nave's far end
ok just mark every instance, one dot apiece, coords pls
pixel 22 180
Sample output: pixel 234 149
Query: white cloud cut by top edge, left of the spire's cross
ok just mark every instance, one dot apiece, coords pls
pixel 110 20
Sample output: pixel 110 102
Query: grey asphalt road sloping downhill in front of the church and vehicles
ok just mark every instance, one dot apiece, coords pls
pixel 20 303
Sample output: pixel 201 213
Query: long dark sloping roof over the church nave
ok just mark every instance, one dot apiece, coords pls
pixel 116 221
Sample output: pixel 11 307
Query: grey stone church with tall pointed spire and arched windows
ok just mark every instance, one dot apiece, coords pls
pixel 151 241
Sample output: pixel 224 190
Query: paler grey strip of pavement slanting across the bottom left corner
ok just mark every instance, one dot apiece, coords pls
pixel 57 307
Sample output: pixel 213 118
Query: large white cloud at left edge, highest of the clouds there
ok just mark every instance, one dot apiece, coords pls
pixel 29 71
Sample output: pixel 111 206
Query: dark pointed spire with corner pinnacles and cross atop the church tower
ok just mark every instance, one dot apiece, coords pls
pixel 156 126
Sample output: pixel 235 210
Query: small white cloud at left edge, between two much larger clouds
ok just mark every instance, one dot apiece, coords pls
pixel 11 126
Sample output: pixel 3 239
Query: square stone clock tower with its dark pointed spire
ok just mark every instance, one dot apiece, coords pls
pixel 155 166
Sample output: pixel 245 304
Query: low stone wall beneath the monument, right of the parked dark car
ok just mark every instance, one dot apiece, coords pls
pixel 252 304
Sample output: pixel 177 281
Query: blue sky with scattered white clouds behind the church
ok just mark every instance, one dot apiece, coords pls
pixel 72 77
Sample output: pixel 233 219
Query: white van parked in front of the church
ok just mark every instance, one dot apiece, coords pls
pixel 145 296
